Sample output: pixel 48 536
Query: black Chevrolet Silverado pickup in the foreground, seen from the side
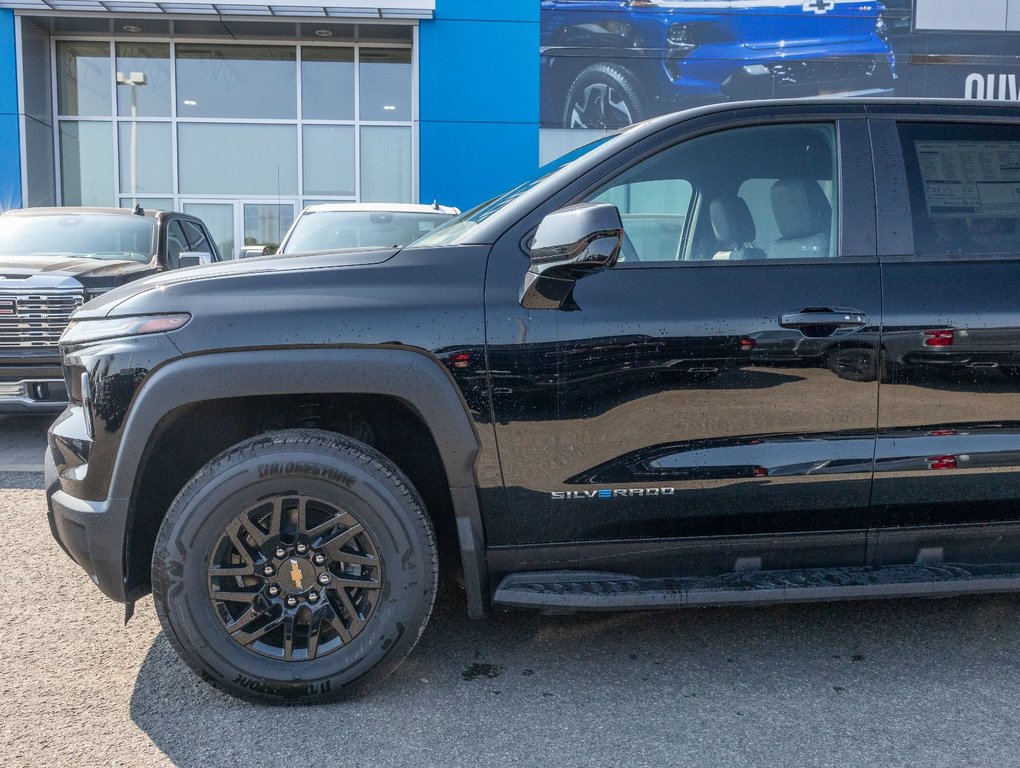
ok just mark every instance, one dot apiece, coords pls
pixel 563 395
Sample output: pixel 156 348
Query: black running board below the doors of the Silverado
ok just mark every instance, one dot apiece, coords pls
pixel 597 591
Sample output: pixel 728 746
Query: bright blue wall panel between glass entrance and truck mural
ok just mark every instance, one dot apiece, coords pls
pixel 479 100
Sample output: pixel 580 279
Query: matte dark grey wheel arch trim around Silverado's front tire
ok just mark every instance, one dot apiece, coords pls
pixel 409 375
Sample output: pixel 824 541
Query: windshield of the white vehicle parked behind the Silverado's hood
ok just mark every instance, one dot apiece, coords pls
pixel 330 231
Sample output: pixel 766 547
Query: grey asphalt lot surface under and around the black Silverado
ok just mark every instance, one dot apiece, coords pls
pixel 890 684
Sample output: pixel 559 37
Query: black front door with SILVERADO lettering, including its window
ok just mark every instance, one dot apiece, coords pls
pixel 674 403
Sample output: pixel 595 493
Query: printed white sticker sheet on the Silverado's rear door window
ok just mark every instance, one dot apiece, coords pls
pixel 971 179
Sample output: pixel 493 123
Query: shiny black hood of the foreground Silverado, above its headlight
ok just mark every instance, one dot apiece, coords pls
pixel 211 276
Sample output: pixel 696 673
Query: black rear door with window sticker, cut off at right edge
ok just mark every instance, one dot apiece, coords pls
pixel 949 441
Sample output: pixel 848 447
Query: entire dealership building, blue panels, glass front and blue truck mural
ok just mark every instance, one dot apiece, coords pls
pixel 242 113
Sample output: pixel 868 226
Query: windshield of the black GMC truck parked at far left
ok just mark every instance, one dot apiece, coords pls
pixel 97 236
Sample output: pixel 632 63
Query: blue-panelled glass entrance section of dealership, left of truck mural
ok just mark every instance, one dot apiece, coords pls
pixel 242 113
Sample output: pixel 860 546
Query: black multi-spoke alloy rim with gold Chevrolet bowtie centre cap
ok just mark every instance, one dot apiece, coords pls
pixel 295 578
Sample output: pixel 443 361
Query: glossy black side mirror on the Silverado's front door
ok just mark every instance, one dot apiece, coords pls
pixel 571 243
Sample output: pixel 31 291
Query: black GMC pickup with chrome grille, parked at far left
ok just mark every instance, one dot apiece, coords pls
pixel 53 261
